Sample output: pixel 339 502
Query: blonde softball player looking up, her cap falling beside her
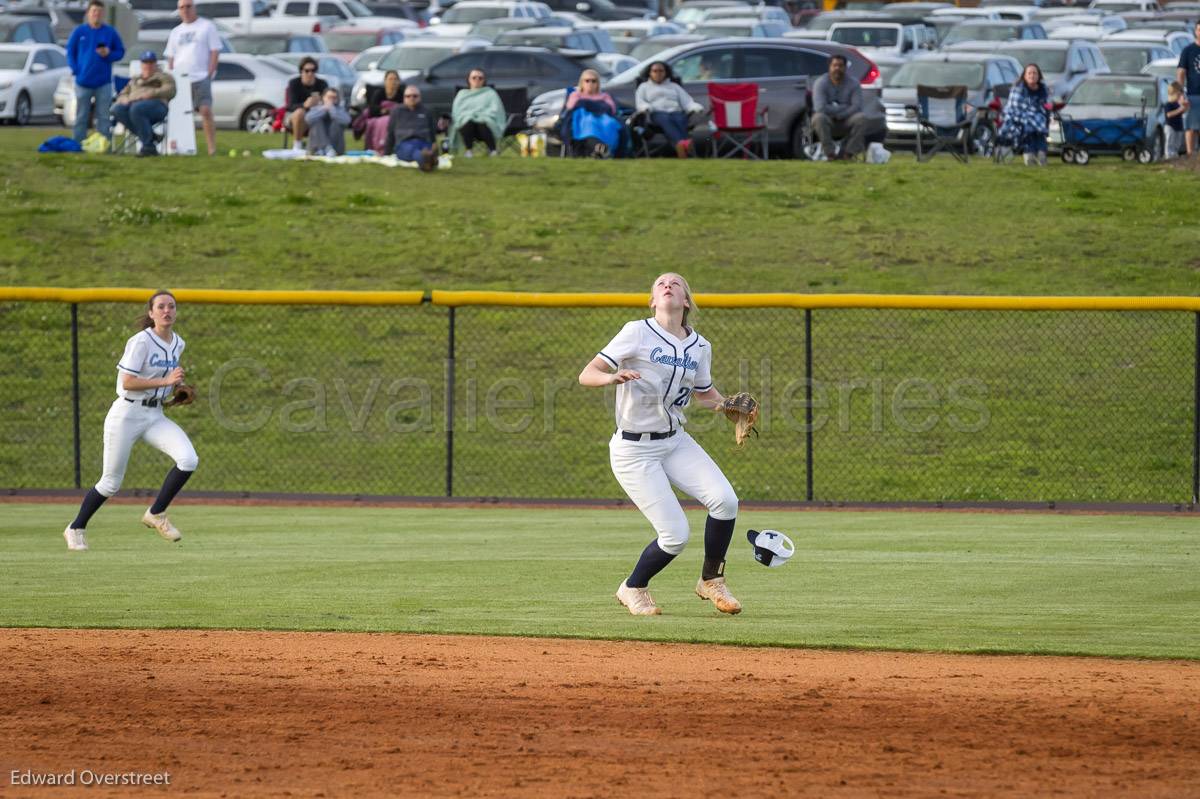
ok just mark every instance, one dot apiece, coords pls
pixel 659 367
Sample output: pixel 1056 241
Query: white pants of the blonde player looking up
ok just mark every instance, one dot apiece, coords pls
pixel 647 471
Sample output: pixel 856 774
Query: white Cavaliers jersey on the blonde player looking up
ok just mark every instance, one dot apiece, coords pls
pixel 671 369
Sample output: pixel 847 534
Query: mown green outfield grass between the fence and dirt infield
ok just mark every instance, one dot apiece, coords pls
pixel 1115 586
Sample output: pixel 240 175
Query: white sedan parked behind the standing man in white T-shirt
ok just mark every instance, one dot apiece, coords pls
pixel 247 91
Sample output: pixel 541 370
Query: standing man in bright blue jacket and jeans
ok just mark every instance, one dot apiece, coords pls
pixel 92 51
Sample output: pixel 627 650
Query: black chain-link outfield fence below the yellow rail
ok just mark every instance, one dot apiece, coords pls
pixel 905 406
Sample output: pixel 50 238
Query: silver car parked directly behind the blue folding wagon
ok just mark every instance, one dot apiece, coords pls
pixel 1114 98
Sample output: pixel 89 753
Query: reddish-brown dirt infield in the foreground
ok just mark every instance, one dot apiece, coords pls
pixel 335 716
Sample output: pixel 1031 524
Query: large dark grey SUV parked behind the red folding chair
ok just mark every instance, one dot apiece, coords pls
pixel 782 68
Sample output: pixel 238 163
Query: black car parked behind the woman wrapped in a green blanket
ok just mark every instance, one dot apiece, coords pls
pixel 511 71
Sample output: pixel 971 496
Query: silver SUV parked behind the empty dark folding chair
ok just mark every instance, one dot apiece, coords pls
pixel 983 75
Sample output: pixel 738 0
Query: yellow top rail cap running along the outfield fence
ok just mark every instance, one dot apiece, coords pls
pixel 638 301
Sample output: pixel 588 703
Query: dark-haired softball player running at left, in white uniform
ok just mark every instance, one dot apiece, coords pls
pixel 146 376
